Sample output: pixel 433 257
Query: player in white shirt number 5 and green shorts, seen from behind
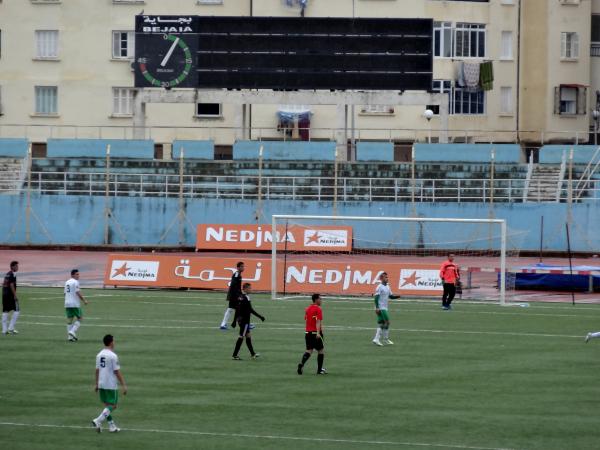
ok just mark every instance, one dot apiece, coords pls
pixel 108 372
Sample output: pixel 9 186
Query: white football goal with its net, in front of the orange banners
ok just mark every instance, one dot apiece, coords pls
pixel 343 256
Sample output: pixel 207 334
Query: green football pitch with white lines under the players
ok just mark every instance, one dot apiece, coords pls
pixel 480 376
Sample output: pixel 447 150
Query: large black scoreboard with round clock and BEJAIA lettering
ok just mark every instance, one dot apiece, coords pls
pixel 283 53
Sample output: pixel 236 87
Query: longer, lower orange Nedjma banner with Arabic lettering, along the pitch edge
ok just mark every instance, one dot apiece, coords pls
pixel 306 276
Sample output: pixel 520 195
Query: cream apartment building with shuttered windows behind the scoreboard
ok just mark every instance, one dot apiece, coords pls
pixel 66 71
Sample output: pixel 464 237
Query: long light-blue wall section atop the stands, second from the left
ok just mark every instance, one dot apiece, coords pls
pixel 96 148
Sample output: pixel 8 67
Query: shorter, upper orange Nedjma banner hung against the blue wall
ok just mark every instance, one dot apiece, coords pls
pixel 259 237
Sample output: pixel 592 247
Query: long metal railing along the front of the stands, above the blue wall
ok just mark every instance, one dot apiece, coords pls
pixel 295 188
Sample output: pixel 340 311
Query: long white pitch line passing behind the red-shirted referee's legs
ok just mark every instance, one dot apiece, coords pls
pixel 265 327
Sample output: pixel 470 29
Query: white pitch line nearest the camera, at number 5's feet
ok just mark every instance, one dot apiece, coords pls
pixel 261 436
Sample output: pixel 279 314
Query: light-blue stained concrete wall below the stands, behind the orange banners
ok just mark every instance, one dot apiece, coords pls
pixel 142 221
